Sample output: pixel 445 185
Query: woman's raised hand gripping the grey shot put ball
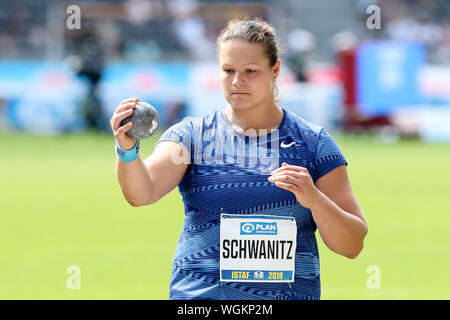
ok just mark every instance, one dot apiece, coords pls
pixel 125 109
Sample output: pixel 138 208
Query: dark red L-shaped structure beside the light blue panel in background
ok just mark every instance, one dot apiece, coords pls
pixel 347 62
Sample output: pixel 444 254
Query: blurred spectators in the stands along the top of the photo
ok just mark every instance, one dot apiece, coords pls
pixel 139 30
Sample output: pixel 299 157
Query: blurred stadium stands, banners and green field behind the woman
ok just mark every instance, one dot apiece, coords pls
pixel 384 93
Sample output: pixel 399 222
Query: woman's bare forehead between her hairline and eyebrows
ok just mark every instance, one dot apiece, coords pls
pixel 239 53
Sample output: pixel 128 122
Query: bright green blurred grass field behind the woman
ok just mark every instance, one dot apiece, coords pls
pixel 61 205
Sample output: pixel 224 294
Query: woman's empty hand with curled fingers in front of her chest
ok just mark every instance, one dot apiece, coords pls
pixel 297 180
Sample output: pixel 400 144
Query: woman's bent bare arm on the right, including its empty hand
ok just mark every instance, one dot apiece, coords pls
pixel 334 207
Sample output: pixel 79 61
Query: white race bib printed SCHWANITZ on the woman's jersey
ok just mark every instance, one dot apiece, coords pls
pixel 257 248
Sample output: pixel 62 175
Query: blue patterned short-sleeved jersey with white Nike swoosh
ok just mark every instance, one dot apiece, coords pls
pixel 228 173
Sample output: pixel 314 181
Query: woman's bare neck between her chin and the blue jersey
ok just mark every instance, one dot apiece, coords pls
pixel 267 117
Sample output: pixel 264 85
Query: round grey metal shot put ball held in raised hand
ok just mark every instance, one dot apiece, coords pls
pixel 145 120
